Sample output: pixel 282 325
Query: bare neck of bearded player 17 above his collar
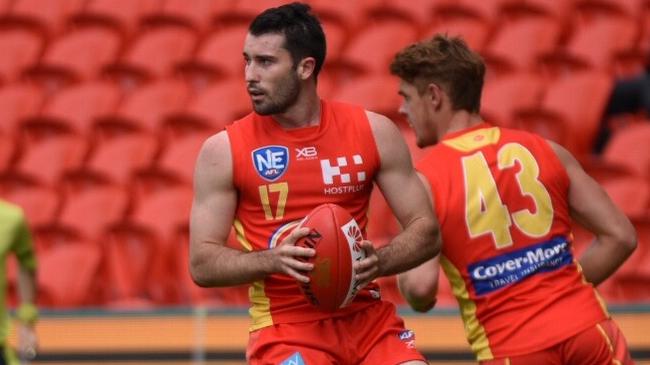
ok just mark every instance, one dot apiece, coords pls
pixel 305 112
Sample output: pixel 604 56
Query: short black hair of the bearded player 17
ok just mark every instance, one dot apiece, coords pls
pixel 304 36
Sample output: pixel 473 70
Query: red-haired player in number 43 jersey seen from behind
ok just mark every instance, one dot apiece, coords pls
pixel 505 199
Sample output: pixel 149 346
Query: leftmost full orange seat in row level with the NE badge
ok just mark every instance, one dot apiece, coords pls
pixel 48 158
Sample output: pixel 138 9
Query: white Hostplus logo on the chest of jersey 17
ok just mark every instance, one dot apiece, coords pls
pixel 337 172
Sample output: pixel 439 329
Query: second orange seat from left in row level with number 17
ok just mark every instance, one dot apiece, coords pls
pixel 91 204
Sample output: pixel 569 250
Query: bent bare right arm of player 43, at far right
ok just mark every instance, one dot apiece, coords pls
pixel 592 208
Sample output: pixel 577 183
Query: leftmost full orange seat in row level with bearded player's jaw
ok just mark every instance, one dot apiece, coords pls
pixel 77 108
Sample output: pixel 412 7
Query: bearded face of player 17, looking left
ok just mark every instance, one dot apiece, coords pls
pixel 271 78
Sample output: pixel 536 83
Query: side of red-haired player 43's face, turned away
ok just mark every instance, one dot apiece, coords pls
pixel 419 113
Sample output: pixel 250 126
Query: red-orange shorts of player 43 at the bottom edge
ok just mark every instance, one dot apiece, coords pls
pixel 602 344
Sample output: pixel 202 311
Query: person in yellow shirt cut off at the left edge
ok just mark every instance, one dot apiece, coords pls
pixel 15 238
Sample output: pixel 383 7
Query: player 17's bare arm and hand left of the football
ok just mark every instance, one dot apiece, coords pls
pixel 213 210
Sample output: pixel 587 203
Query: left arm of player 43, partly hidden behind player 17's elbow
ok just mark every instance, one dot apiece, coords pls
pixel 419 286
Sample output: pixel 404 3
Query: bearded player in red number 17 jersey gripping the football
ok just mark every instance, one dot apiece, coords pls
pixel 270 169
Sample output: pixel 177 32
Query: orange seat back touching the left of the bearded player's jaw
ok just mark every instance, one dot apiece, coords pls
pixel 218 105
